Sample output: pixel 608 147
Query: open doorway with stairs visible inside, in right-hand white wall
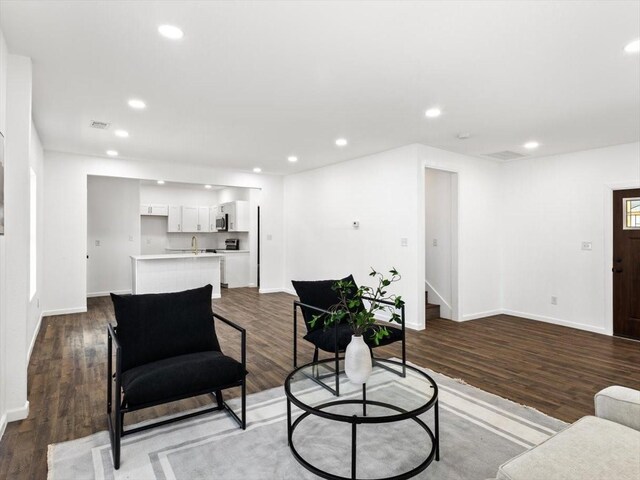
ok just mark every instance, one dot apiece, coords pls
pixel 441 244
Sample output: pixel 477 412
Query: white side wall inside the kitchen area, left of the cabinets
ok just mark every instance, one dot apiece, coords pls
pixel 113 220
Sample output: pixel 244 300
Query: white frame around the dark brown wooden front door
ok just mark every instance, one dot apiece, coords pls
pixel 609 188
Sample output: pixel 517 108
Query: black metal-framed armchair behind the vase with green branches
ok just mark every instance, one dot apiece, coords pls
pixel 316 299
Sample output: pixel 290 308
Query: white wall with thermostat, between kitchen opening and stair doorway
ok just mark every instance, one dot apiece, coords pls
pixel 381 192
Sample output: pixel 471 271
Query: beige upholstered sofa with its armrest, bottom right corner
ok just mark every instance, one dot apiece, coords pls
pixel 603 447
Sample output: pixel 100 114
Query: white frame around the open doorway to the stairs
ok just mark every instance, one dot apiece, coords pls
pixel 456 296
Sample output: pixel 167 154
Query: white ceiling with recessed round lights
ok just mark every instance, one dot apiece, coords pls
pixel 254 82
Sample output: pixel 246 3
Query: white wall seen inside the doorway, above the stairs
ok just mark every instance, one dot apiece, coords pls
pixel 438 238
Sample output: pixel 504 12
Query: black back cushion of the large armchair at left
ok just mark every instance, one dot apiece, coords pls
pixel 153 327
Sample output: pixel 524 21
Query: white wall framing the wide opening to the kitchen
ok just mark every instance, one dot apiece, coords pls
pixel 65 222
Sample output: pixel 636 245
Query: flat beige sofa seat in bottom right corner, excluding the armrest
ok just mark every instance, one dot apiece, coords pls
pixel 590 449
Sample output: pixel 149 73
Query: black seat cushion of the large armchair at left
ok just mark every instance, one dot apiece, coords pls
pixel 179 377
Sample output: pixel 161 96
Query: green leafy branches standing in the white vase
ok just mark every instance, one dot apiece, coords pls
pixel 352 308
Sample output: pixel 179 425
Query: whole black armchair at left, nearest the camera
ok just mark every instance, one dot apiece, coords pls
pixel 166 349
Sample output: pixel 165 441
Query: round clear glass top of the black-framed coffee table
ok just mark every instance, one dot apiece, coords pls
pixel 389 396
